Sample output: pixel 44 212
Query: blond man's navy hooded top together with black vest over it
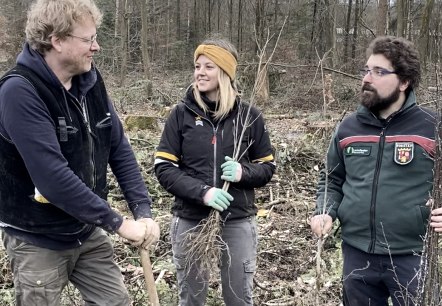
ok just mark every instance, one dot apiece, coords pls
pixel 61 145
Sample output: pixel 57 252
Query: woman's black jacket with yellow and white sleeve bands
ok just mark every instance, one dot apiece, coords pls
pixel 193 147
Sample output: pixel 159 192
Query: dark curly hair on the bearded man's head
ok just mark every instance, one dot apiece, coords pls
pixel 403 56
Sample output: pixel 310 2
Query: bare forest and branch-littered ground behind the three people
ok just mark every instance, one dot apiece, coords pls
pixel 311 82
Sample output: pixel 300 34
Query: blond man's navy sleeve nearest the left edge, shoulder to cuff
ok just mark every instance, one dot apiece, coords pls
pixel 26 123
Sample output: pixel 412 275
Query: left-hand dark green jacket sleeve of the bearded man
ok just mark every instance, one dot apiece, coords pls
pixel 329 190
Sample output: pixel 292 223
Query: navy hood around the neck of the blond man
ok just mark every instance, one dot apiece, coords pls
pixel 33 60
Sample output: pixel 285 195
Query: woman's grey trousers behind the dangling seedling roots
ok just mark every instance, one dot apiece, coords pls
pixel 238 264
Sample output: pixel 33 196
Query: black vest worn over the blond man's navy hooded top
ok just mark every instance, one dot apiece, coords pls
pixel 84 143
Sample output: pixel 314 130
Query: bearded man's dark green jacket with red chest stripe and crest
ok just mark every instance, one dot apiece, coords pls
pixel 380 178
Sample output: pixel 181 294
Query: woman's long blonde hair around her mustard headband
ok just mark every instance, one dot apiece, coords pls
pixel 227 89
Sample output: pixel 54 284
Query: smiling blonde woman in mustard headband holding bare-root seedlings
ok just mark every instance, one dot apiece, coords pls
pixel 193 160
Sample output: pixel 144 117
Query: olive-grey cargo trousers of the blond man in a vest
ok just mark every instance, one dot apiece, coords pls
pixel 41 274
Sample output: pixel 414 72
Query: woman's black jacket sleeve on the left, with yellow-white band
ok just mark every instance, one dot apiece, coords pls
pixel 167 161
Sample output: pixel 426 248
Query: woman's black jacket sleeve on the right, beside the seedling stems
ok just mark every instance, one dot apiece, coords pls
pixel 261 166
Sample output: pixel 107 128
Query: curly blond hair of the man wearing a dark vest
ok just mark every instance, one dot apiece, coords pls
pixel 47 18
